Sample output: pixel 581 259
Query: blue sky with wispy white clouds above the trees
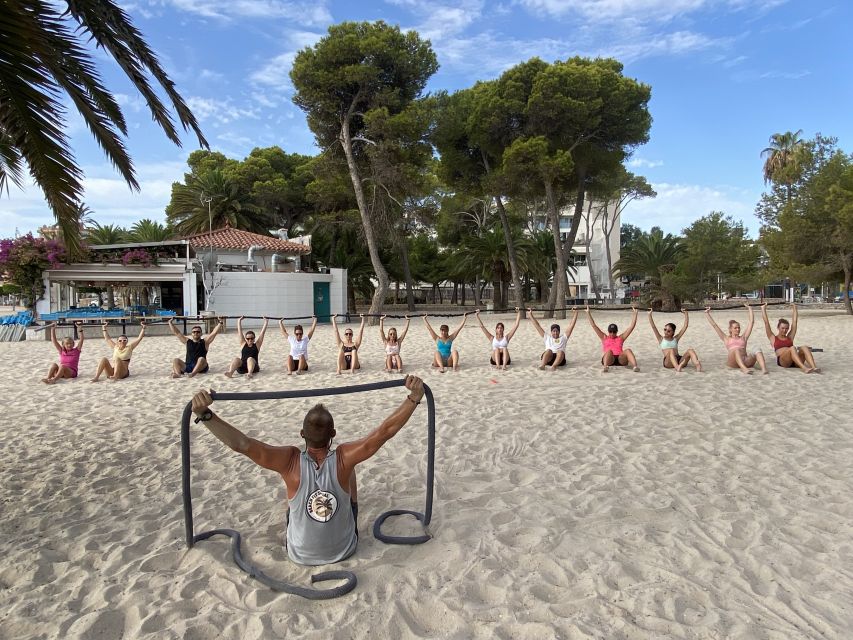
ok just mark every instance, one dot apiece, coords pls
pixel 725 75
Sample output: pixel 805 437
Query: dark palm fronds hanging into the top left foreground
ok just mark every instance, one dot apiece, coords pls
pixel 45 51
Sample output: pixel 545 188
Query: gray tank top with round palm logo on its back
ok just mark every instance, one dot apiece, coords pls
pixel 322 526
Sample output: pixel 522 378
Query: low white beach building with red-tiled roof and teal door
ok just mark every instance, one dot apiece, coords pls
pixel 228 272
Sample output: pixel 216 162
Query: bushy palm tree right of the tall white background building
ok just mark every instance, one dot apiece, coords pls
pixel 654 255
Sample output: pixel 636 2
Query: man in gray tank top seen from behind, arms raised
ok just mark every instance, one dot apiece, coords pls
pixel 321 530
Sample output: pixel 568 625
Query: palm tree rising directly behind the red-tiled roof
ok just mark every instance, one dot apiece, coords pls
pixel 213 199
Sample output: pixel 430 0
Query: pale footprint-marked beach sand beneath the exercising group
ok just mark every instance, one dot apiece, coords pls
pixel 572 504
